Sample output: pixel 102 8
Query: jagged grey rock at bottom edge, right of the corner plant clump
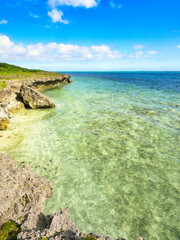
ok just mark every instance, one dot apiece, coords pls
pixel 56 226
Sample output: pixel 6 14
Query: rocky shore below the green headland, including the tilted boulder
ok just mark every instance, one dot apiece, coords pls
pixel 22 93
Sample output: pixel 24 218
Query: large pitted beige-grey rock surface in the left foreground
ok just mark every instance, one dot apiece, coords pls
pixel 21 191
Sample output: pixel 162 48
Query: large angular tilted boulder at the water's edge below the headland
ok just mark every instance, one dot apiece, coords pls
pixel 34 99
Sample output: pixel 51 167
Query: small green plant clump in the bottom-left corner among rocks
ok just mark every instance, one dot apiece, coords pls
pixel 9 231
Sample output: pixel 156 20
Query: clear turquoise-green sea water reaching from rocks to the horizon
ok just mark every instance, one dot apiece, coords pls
pixel 111 149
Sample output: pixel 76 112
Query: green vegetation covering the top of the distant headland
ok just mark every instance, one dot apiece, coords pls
pixel 8 72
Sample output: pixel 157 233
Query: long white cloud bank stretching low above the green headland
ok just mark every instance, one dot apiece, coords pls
pixel 54 52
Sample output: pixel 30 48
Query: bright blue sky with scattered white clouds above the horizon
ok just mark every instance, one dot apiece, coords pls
pixel 91 35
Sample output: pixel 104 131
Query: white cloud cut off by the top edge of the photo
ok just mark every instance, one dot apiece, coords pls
pixel 74 3
